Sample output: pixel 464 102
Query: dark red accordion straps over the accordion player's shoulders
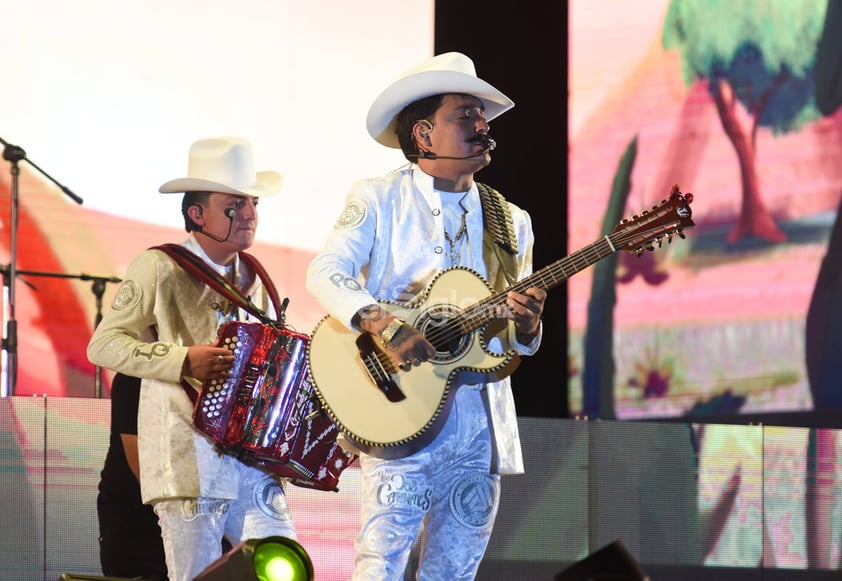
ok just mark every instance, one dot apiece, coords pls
pixel 199 269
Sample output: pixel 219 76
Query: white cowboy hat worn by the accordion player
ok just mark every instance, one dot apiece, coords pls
pixel 226 165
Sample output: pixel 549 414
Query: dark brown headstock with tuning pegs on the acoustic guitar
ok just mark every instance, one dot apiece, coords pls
pixel 663 221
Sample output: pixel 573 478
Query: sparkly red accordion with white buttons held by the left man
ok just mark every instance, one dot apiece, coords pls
pixel 268 412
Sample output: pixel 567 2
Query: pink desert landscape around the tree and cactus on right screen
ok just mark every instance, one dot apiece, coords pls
pixel 726 319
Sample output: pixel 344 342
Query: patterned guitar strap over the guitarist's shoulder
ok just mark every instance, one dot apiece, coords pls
pixel 499 244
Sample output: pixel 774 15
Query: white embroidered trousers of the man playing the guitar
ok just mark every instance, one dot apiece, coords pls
pixel 446 486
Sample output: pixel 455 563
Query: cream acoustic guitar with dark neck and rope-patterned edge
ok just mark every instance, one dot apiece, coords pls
pixel 391 413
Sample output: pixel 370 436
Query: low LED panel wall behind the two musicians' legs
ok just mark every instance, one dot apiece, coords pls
pixel 688 501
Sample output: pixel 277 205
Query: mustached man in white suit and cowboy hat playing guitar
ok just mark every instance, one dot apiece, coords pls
pixel 396 234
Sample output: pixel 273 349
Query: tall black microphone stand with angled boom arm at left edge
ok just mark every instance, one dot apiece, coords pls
pixel 14 155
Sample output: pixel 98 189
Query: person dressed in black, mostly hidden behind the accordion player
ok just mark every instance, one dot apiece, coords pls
pixel 130 542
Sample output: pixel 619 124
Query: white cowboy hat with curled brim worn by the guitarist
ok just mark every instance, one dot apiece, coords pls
pixel 450 72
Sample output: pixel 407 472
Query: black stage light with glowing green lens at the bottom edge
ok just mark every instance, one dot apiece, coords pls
pixel 267 559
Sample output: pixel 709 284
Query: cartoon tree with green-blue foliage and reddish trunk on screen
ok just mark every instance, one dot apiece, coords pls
pixel 757 54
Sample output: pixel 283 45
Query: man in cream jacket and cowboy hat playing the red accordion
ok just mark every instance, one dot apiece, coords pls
pixel 162 328
